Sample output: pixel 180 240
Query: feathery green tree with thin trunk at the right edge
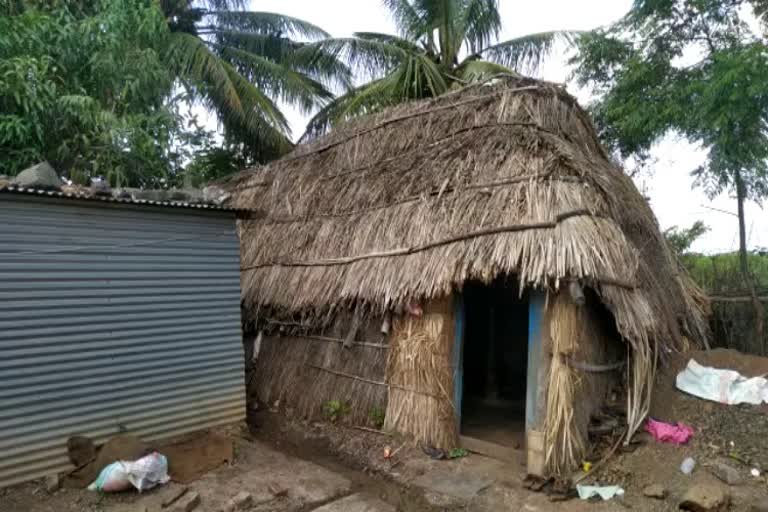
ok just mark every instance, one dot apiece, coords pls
pixel 690 67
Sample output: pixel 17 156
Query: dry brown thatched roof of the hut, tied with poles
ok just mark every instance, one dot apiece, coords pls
pixel 408 204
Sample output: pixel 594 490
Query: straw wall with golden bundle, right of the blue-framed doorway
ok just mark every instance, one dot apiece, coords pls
pixel 580 334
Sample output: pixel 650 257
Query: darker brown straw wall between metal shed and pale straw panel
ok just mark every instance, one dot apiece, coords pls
pixel 304 371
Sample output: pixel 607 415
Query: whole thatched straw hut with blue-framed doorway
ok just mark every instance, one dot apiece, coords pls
pixel 472 265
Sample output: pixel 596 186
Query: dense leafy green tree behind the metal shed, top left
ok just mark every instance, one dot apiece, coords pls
pixel 82 85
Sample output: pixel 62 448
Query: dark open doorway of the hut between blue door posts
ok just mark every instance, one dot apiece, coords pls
pixel 495 362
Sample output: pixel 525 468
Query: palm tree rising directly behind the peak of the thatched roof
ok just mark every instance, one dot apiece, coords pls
pixel 441 44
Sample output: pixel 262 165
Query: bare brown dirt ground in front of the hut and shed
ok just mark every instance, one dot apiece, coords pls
pixel 327 467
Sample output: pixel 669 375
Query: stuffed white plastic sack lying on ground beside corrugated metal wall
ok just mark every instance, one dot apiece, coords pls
pixel 143 474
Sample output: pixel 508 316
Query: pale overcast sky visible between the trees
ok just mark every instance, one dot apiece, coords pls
pixel 669 186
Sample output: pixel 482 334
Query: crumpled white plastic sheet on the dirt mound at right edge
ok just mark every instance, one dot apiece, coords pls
pixel 724 386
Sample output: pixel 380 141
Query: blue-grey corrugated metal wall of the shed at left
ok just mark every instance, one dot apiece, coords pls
pixel 113 318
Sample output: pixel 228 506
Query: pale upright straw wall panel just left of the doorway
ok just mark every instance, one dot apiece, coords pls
pixel 420 374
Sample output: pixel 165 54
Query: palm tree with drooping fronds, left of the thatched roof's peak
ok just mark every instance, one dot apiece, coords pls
pixel 240 63
